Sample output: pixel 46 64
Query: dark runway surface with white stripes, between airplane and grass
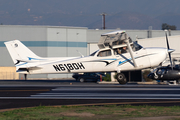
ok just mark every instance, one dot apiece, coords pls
pixel 19 93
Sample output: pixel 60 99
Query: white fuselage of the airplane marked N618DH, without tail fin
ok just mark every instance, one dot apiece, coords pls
pixel 145 58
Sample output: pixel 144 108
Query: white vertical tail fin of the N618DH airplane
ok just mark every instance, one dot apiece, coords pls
pixel 19 52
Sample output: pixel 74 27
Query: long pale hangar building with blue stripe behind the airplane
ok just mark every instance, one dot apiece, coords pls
pixel 63 41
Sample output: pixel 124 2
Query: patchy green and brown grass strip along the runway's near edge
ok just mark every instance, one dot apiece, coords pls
pixel 106 112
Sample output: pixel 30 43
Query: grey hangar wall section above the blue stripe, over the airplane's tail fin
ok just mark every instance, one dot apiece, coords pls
pixel 23 33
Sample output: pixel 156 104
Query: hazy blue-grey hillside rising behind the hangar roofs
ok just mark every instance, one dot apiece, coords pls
pixel 124 14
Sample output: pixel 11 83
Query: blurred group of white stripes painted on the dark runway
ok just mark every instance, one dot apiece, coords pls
pixel 110 93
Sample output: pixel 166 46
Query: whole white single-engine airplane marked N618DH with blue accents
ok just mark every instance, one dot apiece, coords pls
pixel 117 53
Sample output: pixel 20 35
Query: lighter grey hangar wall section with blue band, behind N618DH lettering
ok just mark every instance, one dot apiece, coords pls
pixel 65 42
